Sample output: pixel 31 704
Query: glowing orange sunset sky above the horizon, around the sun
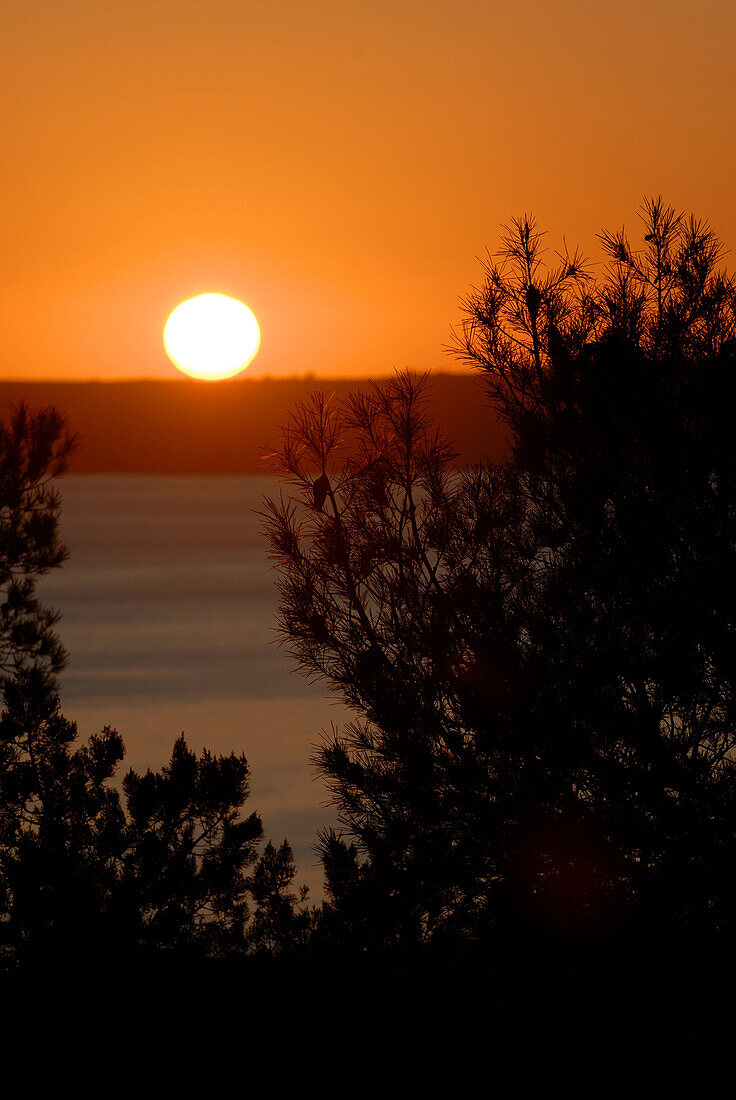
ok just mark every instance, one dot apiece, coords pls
pixel 337 166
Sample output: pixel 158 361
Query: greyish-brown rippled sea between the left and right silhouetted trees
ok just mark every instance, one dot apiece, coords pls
pixel 169 607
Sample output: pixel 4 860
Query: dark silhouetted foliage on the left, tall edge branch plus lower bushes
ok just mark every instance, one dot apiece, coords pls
pixel 87 871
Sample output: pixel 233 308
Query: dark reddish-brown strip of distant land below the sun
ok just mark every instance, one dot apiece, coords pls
pixel 183 427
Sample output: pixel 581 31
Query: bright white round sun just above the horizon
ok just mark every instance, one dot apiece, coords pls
pixel 212 337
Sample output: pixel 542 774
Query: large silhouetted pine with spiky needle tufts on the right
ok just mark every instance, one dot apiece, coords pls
pixel 541 652
